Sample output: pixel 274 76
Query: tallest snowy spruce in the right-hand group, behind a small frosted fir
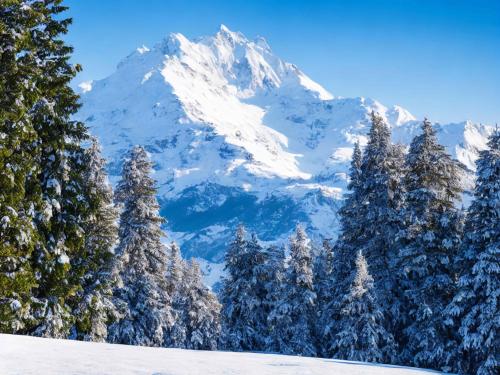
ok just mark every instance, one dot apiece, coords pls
pixel 370 221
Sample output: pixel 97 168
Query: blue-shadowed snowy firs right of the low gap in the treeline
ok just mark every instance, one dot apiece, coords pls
pixel 411 280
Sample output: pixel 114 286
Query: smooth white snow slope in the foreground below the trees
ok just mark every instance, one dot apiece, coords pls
pixel 23 355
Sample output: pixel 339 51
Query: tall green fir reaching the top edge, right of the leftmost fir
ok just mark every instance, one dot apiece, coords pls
pixel 60 177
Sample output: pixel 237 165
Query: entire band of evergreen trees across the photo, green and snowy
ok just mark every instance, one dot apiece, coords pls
pixel 412 279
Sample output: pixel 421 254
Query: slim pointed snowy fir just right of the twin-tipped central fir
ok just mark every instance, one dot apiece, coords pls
pixel 296 312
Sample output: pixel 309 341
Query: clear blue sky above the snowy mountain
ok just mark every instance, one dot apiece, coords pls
pixel 438 58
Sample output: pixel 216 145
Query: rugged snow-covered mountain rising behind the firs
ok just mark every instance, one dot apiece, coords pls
pixel 239 135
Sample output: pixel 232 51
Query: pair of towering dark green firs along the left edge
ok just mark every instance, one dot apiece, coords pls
pixel 43 198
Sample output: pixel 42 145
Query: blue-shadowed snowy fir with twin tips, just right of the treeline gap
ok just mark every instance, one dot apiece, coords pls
pixel 243 295
